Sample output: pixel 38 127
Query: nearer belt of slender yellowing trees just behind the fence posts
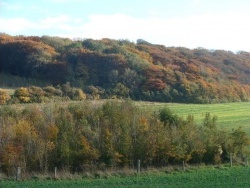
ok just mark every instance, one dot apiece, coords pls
pixel 84 137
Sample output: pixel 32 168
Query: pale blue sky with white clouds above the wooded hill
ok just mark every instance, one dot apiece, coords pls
pixel 210 24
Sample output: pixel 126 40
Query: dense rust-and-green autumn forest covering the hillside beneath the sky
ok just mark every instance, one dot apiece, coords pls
pixel 123 69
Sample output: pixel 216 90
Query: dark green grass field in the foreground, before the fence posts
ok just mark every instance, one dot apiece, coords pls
pixel 237 176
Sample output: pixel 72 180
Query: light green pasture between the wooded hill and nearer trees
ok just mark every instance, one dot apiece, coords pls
pixel 230 115
